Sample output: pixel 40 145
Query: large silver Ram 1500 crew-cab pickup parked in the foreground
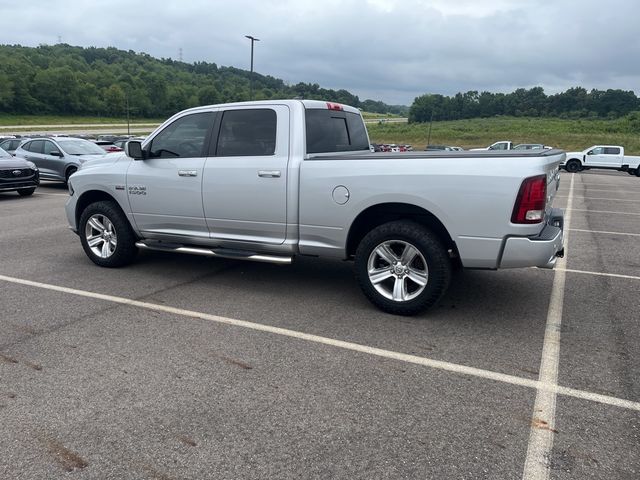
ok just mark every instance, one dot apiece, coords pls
pixel 270 180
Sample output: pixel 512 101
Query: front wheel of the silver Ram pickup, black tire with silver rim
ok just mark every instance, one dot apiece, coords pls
pixel 112 221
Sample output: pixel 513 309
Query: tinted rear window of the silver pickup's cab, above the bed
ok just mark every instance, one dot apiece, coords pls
pixel 335 131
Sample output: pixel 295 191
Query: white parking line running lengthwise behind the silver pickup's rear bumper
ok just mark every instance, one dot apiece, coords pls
pixel 544 410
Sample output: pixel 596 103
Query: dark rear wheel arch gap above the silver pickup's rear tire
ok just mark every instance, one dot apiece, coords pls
pixel 381 213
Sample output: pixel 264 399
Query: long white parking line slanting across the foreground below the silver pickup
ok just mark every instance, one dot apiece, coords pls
pixel 402 357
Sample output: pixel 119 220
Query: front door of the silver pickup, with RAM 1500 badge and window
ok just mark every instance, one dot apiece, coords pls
pixel 165 189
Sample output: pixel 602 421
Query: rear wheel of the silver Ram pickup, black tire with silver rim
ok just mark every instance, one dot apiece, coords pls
pixel 432 262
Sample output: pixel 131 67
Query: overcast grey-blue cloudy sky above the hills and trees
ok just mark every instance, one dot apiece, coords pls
pixel 389 50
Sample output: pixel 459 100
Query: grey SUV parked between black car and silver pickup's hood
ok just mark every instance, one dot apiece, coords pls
pixel 59 158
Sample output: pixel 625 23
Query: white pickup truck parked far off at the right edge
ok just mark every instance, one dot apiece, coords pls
pixel 610 157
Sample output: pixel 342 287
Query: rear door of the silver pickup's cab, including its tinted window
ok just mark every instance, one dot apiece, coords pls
pixel 245 176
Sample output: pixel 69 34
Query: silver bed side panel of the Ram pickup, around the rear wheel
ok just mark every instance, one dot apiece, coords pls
pixel 472 194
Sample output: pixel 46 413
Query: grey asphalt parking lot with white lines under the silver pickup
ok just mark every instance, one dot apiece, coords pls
pixel 180 367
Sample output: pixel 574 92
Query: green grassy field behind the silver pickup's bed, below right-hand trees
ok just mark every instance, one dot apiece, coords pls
pixel 569 135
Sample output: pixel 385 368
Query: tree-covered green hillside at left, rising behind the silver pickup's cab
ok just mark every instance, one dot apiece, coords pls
pixel 65 80
